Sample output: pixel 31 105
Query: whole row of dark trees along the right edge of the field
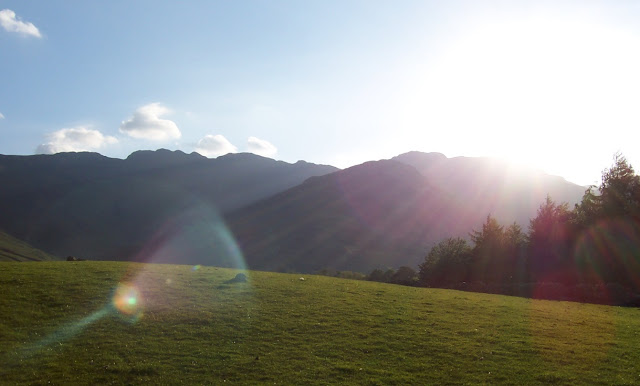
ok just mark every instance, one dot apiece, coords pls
pixel 589 253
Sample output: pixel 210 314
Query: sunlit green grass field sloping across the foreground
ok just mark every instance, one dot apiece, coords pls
pixel 277 328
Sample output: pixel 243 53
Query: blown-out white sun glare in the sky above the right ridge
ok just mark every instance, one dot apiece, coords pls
pixel 539 91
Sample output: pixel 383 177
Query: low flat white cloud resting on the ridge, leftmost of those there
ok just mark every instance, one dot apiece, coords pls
pixel 74 139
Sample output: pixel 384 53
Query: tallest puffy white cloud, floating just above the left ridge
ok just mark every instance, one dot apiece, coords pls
pixel 146 124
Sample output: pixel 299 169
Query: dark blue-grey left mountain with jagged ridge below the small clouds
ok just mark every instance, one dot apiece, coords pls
pixel 91 206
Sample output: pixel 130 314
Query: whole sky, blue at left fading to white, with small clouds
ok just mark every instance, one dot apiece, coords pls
pixel 552 85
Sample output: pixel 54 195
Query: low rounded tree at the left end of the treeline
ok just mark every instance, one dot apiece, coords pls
pixel 446 263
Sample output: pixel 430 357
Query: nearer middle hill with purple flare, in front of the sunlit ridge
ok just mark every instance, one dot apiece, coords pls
pixel 380 213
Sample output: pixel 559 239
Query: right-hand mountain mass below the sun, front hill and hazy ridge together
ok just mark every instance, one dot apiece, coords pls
pixel 387 213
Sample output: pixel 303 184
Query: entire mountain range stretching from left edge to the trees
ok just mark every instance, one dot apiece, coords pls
pixel 171 207
